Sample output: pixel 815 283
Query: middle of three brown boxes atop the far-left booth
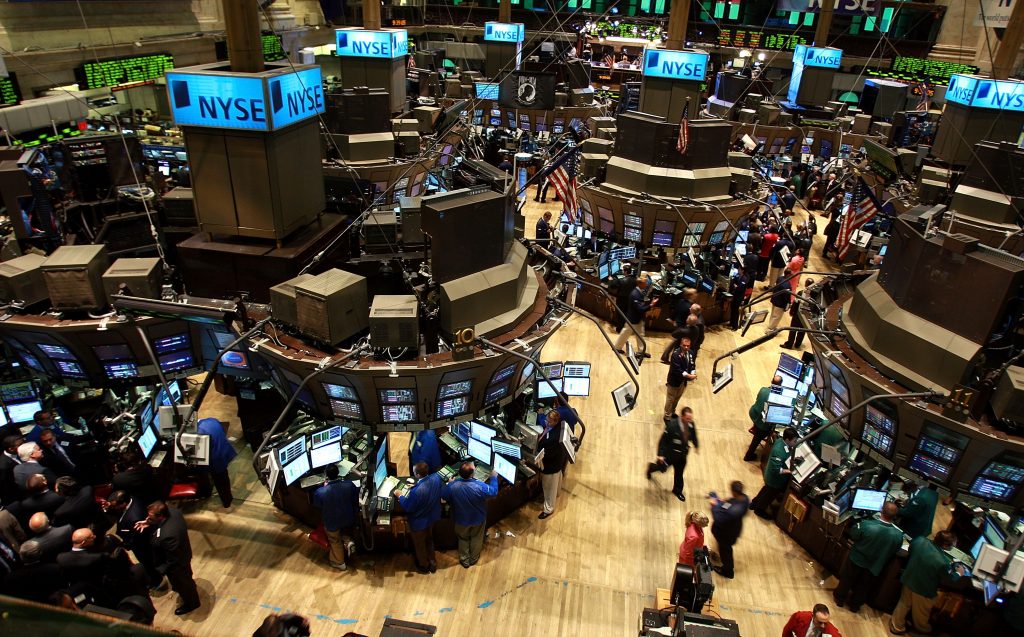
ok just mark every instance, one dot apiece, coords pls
pixel 74 277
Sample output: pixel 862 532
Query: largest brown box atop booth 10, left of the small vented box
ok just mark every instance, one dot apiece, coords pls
pixel 332 307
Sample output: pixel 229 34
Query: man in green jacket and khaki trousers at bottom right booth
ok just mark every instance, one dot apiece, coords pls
pixel 928 567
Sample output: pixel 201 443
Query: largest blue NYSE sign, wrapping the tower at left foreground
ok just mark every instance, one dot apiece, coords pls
pixel 221 101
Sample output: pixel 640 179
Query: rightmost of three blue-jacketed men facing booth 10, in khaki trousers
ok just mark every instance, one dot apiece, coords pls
pixel 470 511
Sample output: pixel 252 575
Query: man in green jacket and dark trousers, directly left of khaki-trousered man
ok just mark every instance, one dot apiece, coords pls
pixel 875 543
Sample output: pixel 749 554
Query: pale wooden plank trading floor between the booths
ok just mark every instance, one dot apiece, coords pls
pixel 587 571
